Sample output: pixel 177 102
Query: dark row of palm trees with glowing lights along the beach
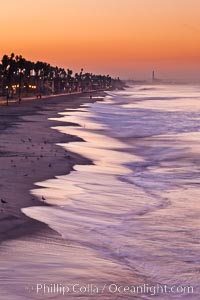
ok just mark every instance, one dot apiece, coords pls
pixel 20 76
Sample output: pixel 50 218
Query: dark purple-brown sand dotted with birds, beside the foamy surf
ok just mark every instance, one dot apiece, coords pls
pixel 29 154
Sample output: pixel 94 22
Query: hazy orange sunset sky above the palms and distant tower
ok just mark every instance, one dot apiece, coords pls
pixel 125 37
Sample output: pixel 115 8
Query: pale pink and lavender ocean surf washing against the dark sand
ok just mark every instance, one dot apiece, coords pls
pixel 133 216
